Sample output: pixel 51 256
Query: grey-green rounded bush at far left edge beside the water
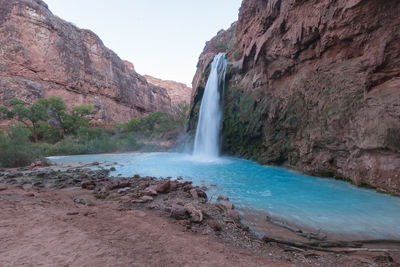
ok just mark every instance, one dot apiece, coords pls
pixel 16 149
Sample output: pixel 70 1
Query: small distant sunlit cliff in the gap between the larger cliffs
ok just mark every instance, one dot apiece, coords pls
pixel 178 92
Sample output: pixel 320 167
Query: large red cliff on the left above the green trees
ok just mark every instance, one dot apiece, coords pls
pixel 42 55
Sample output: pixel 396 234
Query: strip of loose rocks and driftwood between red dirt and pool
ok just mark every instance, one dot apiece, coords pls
pixel 187 205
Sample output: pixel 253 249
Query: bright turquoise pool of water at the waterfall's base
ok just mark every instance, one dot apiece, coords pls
pixel 319 203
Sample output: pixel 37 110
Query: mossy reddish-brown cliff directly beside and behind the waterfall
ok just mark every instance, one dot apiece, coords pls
pixel 314 85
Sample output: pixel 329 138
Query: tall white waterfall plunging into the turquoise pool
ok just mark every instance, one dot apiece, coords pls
pixel 207 141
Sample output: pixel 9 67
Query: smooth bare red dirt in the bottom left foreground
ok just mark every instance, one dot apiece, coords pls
pixel 37 230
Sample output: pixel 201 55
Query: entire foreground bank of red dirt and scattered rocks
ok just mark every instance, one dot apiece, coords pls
pixel 85 218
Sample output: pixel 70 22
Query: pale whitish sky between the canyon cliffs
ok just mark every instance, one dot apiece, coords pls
pixel 162 38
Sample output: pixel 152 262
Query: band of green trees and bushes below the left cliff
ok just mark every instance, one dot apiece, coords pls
pixel 59 132
